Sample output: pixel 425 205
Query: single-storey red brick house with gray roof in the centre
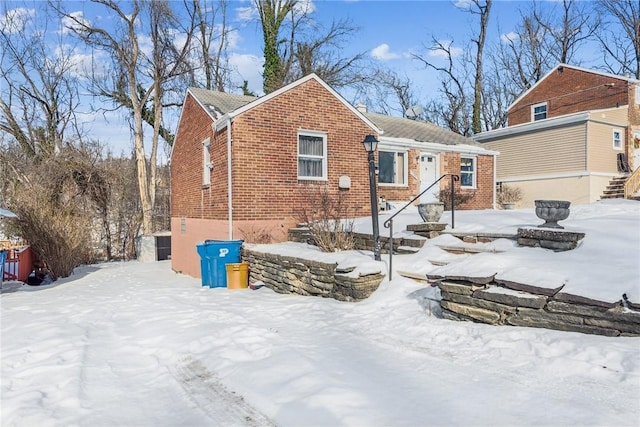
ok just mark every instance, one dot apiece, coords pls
pixel 241 166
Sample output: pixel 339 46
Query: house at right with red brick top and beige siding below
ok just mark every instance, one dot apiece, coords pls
pixel 569 136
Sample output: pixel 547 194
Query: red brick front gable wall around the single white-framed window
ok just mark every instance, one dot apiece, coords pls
pixel 265 141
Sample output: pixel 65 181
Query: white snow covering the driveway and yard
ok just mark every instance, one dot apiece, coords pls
pixel 136 344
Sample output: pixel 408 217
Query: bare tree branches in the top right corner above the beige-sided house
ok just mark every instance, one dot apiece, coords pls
pixel 620 38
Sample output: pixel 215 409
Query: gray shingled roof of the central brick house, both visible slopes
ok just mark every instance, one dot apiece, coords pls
pixel 221 103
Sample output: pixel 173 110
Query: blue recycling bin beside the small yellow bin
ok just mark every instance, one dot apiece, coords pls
pixel 214 256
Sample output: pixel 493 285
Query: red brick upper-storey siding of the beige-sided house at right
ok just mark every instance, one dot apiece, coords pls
pixel 571 91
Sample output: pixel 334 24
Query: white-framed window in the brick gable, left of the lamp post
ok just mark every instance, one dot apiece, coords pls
pixel 312 155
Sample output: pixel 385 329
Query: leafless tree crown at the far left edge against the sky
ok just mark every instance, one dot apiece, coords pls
pixel 38 94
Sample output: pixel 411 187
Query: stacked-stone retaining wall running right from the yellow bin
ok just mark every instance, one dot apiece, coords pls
pixel 291 275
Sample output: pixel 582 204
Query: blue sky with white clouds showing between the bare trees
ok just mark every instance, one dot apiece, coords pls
pixel 389 32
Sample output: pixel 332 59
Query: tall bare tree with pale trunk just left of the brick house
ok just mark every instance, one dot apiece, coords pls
pixel 134 68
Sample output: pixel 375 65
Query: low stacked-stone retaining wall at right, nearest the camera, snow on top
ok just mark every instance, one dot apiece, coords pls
pixel 476 299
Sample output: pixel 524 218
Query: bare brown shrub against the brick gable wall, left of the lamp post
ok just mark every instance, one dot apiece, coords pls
pixel 326 216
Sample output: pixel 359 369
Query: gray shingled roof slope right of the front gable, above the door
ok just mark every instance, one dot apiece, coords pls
pixel 399 127
